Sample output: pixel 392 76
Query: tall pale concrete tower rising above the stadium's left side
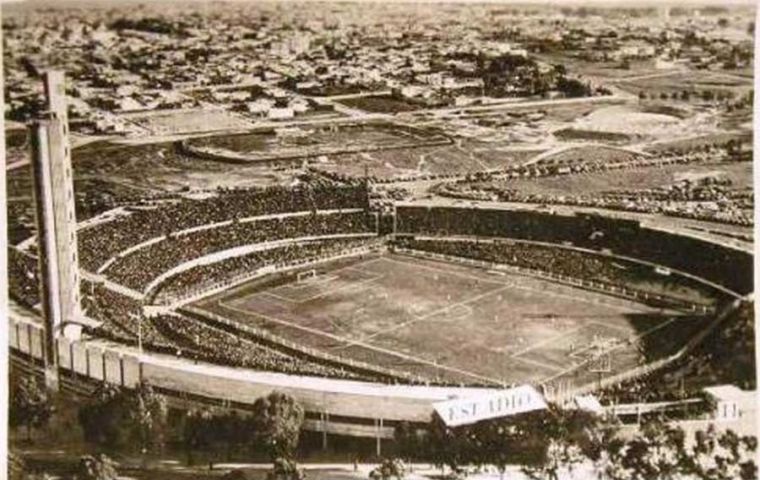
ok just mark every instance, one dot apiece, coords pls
pixel 56 220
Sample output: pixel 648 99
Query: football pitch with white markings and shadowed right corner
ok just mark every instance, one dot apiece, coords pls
pixel 452 322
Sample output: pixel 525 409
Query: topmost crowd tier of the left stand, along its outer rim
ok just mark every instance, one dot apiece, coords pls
pixel 102 241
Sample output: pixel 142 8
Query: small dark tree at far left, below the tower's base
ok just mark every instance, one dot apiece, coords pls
pixel 29 405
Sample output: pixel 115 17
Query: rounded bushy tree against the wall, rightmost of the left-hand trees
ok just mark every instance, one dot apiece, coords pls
pixel 278 419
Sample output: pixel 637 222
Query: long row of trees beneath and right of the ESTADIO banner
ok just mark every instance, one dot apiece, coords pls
pixel 555 442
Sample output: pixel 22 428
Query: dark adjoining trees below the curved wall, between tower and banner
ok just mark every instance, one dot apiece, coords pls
pixel 122 419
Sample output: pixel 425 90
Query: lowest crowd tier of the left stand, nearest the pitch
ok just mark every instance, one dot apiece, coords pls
pixel 203 277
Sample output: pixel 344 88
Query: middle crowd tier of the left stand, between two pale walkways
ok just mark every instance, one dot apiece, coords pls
pixel 137 269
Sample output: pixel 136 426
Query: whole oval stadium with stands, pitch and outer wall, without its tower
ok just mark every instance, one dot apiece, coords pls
pixel 367 315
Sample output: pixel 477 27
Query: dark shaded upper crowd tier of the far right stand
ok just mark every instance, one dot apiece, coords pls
pixel 729 267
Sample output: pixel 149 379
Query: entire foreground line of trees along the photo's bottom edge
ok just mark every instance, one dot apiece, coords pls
pixel 545 444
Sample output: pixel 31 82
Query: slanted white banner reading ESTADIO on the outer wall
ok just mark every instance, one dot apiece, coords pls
pixel 464 411
